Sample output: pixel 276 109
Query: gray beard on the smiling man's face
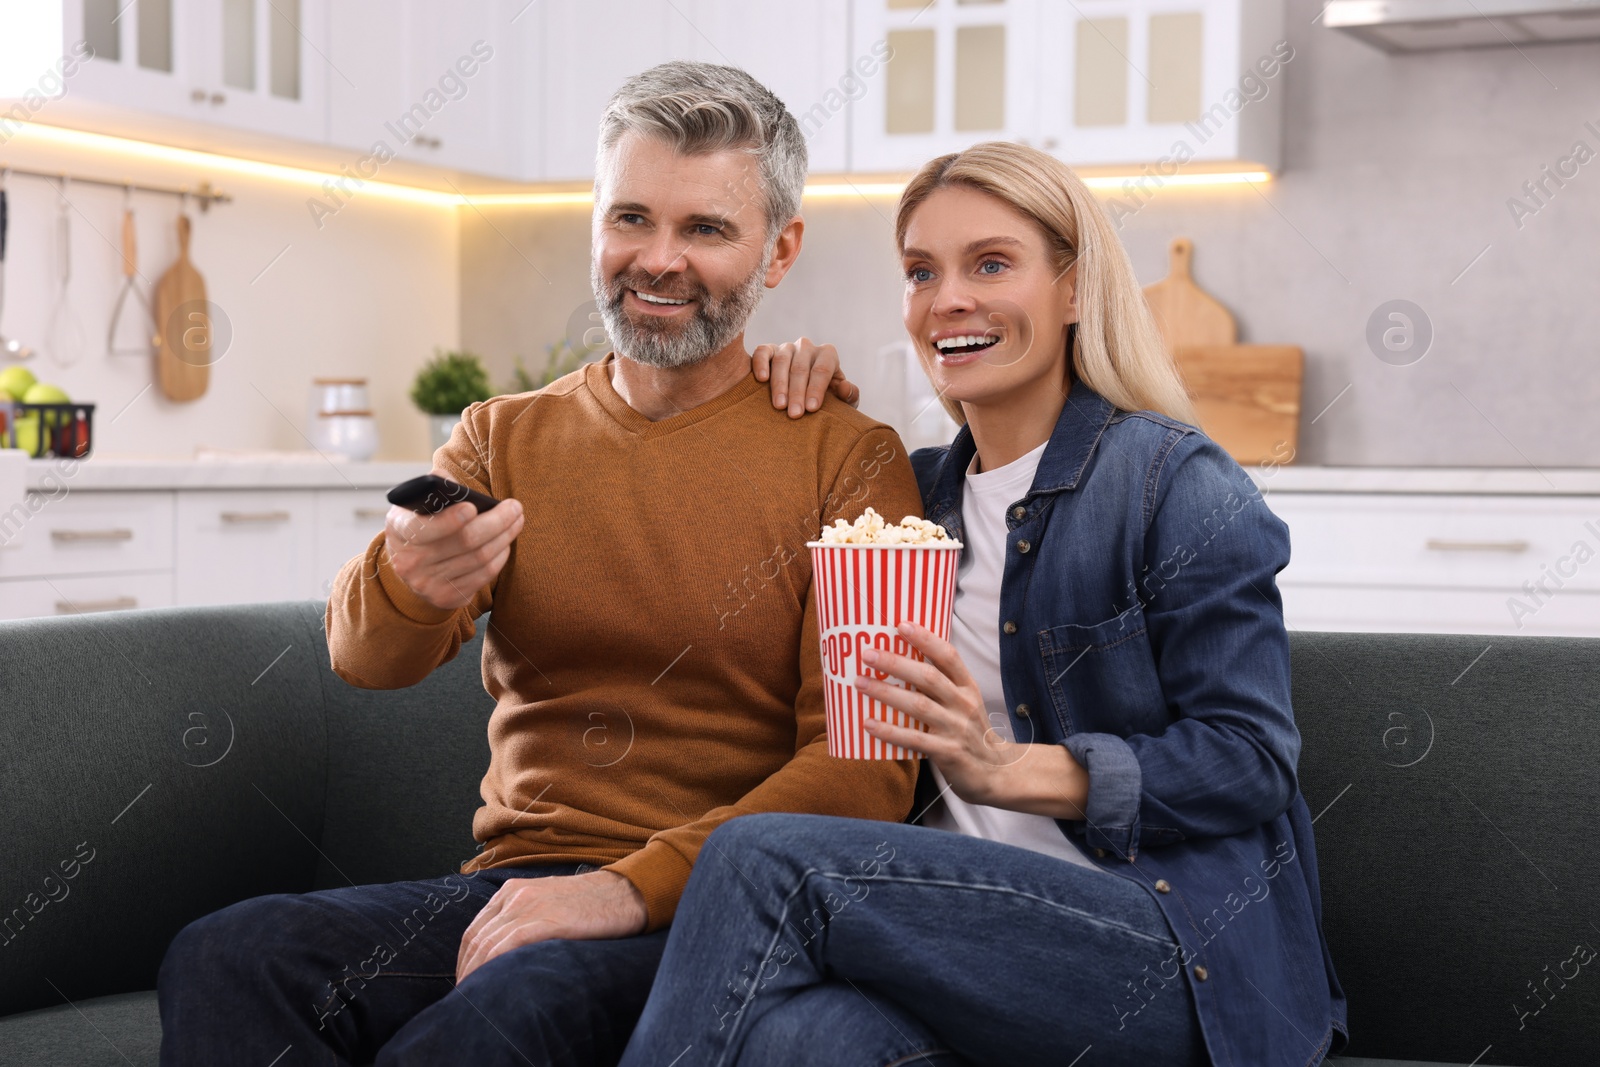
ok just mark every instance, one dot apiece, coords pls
pixel 714 326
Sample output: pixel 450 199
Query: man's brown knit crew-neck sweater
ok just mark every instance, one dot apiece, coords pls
pixel 654 642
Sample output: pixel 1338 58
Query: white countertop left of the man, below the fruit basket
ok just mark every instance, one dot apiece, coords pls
pixel 220 474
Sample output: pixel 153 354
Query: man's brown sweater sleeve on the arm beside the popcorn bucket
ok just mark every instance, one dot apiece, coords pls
pixel 879 476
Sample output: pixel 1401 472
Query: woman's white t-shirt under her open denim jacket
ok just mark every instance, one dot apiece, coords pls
pixel 975 631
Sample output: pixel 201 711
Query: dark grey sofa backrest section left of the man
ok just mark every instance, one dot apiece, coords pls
pixel 159 765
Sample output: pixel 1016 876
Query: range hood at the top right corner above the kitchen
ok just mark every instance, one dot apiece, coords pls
pixel 1434 25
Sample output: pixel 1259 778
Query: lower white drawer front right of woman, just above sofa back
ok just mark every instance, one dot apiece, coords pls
pixel 1377 610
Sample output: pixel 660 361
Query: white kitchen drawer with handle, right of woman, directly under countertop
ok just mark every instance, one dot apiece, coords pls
pixel 1441 541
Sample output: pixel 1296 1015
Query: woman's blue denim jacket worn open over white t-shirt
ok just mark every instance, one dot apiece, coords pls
pixel 1150 641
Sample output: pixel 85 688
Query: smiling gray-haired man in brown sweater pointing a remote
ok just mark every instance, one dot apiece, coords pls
pixel 654 645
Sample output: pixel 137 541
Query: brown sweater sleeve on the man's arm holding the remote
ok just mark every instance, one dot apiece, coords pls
pixel 382 636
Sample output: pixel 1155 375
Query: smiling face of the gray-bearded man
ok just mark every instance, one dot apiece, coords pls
pixel 681 250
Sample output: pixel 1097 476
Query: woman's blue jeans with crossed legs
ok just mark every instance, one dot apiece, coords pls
pixel 842 943
